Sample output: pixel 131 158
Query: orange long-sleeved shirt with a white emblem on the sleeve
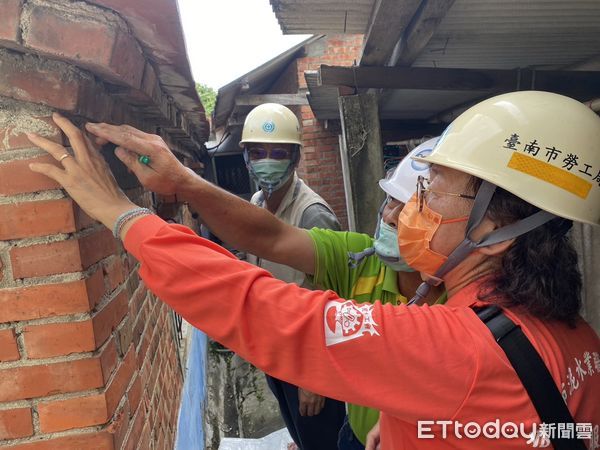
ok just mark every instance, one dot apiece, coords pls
pixel 412 363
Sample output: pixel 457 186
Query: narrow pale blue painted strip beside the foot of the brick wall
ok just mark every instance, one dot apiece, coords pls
pixel 190 431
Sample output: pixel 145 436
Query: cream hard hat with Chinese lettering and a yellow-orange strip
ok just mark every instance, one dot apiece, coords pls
pixel 542 147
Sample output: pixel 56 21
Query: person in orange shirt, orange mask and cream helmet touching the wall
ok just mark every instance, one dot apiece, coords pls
pixel 436 373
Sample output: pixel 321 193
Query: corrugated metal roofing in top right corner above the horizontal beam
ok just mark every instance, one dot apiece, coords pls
pixel 514 33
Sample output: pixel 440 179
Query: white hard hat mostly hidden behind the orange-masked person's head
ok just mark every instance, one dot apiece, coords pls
pixel 402 183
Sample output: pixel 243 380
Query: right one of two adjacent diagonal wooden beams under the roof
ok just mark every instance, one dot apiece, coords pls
pixel 420 31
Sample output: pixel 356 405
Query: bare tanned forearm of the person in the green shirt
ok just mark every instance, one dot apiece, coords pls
pixel 234 220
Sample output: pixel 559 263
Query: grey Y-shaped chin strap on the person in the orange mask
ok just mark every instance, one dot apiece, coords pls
pixel 464 249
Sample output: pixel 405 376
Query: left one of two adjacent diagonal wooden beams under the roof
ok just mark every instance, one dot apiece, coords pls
pixel 389 19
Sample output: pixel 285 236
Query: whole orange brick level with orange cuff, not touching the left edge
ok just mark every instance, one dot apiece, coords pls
pixel 46 259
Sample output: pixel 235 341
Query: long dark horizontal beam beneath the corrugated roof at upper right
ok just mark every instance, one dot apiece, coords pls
pixel 581 85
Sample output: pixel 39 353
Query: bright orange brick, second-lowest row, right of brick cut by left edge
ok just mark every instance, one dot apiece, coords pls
pixel 72 413
